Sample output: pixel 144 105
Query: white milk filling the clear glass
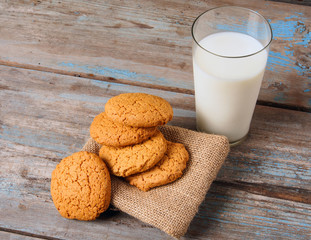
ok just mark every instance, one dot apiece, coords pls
pixel 226 89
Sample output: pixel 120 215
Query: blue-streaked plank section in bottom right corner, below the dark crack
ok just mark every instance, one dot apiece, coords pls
pixel 230 214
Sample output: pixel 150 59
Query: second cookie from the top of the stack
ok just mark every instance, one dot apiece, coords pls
pixel 110 133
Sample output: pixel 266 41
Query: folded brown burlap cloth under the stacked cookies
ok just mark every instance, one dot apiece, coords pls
pixel 172 207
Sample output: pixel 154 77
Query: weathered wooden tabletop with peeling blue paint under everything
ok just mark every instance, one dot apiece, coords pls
pixel 61 60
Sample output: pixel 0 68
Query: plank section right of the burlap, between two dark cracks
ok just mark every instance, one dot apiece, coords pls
pixel 276 152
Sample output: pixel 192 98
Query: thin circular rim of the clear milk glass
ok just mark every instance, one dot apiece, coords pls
pixel 247 9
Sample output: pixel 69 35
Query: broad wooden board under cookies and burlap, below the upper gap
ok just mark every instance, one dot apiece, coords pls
pixel 45 117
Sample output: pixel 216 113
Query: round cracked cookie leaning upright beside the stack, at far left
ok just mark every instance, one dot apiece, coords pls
pixel 81 186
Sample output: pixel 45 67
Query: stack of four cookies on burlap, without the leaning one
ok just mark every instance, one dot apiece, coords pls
pixel 132 146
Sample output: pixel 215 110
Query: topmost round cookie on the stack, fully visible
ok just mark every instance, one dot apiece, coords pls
pixel 139 110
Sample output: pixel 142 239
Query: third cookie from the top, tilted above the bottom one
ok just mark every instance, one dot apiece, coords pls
pixel 129 160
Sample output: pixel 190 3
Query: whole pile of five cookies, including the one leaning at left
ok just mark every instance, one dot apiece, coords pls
pixel 132 147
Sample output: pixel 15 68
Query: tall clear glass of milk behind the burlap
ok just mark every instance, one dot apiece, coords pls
pixel 230 51
